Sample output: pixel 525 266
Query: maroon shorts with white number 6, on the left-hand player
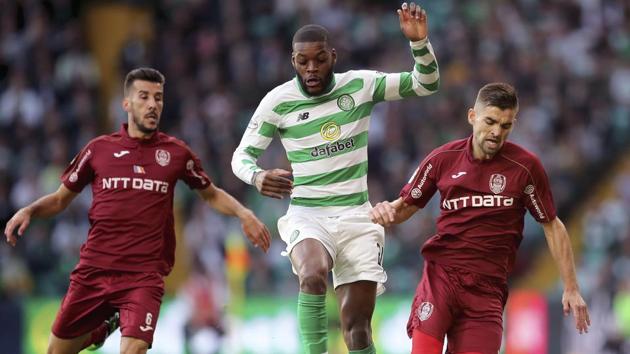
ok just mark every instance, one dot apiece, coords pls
pixel 95 295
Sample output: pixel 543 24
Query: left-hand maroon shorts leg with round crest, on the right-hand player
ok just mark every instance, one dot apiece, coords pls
pixel 434 307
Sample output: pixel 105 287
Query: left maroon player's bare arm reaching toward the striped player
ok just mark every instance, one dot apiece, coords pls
pixel 223 202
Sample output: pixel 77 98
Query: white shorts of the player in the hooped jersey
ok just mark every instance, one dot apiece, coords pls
pixel 354 243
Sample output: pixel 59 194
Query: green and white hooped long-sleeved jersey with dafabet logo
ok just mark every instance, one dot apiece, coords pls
pixel 325 137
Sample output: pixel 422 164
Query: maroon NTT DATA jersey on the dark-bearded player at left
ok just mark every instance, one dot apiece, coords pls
pixel 133 181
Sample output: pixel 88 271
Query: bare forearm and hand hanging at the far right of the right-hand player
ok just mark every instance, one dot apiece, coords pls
pixel 560 247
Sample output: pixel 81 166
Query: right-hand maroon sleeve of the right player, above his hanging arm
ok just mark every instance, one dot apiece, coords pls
pixel 538 196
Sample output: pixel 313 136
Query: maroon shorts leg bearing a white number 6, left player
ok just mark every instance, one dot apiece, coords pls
pixel 140 307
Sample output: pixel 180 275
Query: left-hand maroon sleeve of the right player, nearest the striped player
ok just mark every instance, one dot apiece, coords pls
pixel 421 186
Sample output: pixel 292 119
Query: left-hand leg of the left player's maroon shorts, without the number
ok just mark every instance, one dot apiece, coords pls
pixel 83 308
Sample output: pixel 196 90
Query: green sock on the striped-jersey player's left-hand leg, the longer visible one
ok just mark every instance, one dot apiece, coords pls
pixel 313 322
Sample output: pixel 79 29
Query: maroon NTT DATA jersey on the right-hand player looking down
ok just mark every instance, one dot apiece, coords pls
pixel 482 204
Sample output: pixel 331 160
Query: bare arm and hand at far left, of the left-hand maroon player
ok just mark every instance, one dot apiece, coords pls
pixel 48 205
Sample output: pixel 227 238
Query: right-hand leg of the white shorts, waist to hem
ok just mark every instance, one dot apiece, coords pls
pixel 360 248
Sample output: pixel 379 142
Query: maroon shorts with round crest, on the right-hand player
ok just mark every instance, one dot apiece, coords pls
pixel 467 307
